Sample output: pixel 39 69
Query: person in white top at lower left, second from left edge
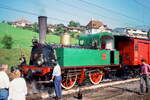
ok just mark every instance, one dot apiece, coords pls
pixel 18 87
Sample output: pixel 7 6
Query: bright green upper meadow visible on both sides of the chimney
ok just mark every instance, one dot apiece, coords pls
pixel 22 38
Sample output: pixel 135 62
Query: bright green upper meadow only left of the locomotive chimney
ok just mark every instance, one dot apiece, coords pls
pixel 21 38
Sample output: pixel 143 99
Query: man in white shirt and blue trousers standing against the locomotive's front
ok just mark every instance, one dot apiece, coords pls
pixel 56 76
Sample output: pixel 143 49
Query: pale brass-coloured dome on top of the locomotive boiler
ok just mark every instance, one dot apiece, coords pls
pixel 65 39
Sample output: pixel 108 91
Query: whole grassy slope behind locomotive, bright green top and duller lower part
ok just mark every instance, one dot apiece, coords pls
pixel 21 43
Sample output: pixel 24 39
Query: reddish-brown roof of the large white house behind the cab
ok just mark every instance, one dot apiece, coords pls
pixel 95 24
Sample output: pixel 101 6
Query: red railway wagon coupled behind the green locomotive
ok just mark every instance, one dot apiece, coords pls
pixel 132 50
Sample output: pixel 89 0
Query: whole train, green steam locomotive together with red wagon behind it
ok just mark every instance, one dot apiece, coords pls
pixel 95 56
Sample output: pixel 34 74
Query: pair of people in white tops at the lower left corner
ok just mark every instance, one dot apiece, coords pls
pixel 15 89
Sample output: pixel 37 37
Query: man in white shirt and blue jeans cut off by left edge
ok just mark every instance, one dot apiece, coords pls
pixel 4 82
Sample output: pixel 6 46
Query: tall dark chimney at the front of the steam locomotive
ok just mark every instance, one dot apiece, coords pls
pixel 42 28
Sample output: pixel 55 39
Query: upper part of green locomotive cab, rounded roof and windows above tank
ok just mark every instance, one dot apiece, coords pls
pixel 98 41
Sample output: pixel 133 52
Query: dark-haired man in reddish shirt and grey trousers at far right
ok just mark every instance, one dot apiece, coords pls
pixel 144 79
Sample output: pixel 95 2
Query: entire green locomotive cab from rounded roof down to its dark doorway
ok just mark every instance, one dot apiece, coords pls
pixel 102 42
